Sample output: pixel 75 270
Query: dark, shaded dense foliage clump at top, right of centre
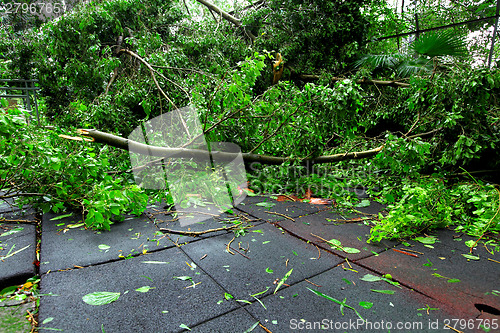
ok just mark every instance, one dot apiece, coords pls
pixel 312 34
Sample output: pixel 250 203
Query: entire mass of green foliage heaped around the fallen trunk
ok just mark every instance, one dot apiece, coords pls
pixel 445 122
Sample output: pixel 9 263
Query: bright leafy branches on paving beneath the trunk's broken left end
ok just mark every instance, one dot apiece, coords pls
pixel 56 174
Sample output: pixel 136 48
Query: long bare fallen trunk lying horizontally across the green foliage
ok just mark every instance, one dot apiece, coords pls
pixel 143 149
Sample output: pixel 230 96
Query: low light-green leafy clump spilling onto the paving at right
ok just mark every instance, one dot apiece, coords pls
pixel 430 204
